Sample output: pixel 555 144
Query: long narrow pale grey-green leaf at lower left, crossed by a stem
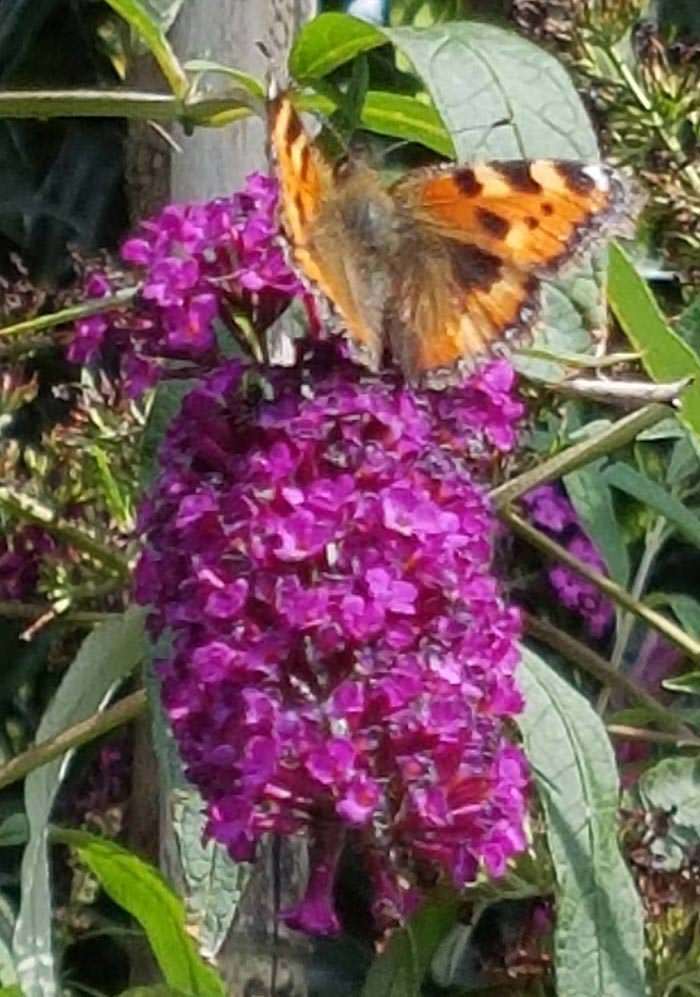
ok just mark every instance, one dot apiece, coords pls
pixel 105 657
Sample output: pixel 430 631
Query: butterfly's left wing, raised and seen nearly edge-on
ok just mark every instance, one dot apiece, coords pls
pixel 315 230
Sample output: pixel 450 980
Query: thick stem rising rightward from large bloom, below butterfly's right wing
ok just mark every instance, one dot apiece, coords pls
pixel 568 460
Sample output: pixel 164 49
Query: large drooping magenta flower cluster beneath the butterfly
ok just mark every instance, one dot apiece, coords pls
pixel 342 662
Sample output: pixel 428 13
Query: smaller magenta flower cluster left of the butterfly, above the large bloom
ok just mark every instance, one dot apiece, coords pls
pixel 196 263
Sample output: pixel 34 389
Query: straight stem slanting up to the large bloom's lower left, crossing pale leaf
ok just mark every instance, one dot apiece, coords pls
pixel 123 712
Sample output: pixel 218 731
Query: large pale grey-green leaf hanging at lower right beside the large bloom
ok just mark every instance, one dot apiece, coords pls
pixel 599 932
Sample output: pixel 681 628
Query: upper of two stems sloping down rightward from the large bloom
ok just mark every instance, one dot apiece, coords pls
pixel 615 592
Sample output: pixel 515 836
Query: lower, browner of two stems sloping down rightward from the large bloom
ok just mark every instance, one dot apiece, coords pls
pixel 591 662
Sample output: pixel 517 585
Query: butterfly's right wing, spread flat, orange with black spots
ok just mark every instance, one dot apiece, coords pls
pixel 493 230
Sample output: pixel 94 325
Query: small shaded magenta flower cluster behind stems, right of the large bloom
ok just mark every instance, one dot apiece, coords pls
pixel 551 509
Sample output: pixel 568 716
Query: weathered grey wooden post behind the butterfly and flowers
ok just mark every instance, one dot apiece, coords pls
pixel 259 958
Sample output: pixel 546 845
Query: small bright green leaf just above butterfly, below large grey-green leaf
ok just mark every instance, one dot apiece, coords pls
pixel 405 117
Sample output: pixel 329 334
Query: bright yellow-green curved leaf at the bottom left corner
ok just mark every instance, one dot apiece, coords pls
pixel 140 889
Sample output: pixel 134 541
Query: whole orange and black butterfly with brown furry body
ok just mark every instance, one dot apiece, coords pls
pixel 445 265
